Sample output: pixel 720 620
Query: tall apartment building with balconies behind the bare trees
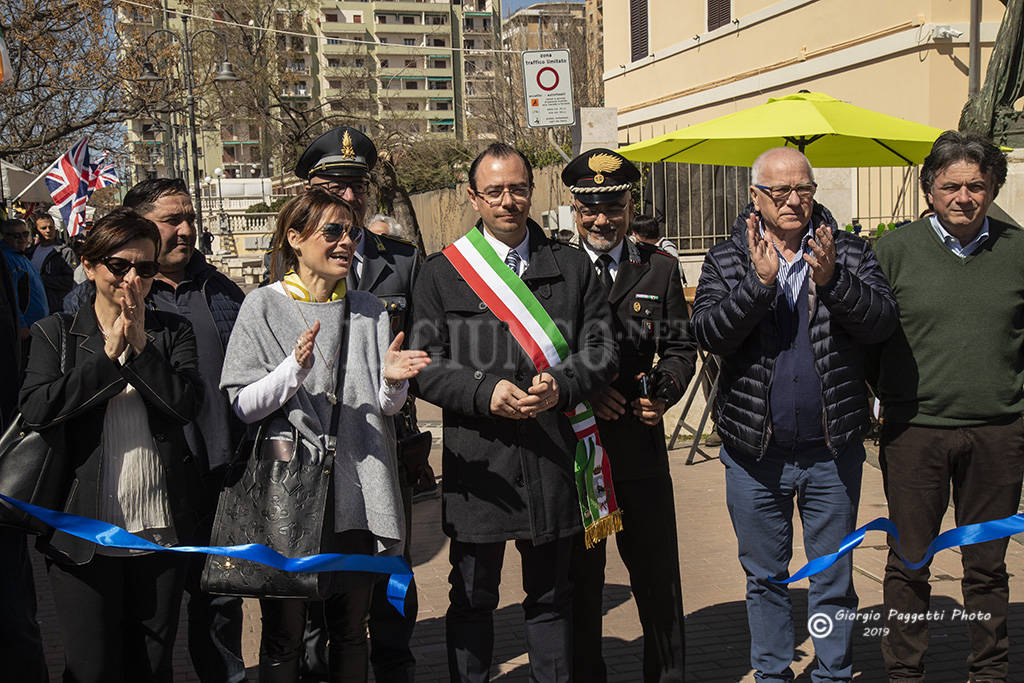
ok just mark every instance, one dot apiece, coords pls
pixel 412 68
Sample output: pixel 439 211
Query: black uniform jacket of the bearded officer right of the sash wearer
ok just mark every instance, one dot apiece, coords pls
pixel 650 318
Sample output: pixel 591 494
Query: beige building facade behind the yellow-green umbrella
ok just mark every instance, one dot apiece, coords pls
pixel 669 65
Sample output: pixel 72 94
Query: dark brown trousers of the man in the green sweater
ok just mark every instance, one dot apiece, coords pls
pixel 986 465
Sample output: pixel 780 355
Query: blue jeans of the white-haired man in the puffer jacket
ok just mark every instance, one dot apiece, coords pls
pixel 760 496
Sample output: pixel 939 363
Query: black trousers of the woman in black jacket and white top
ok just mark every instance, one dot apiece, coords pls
pixel 119 617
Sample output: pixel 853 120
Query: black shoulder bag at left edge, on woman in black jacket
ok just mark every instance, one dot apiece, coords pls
pixel 33 464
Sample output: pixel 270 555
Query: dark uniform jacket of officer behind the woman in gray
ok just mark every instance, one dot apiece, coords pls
pixel 390 270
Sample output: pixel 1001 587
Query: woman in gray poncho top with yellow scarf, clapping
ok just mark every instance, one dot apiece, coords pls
pixel 283 361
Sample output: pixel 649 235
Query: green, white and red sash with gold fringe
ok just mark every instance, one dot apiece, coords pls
pixel 509 298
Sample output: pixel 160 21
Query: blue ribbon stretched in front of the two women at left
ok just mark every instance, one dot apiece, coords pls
pixel 110 536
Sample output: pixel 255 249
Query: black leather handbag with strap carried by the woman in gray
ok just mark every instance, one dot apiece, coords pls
pixel 280 501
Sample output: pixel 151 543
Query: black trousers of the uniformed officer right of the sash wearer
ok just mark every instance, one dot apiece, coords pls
pixel 648 545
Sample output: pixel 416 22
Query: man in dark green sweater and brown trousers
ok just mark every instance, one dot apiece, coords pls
pixel 951 383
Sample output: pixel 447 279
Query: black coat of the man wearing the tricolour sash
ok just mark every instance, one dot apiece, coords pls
pixel 510 479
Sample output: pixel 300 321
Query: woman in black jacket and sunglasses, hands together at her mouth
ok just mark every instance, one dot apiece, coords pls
pixel 130 386
